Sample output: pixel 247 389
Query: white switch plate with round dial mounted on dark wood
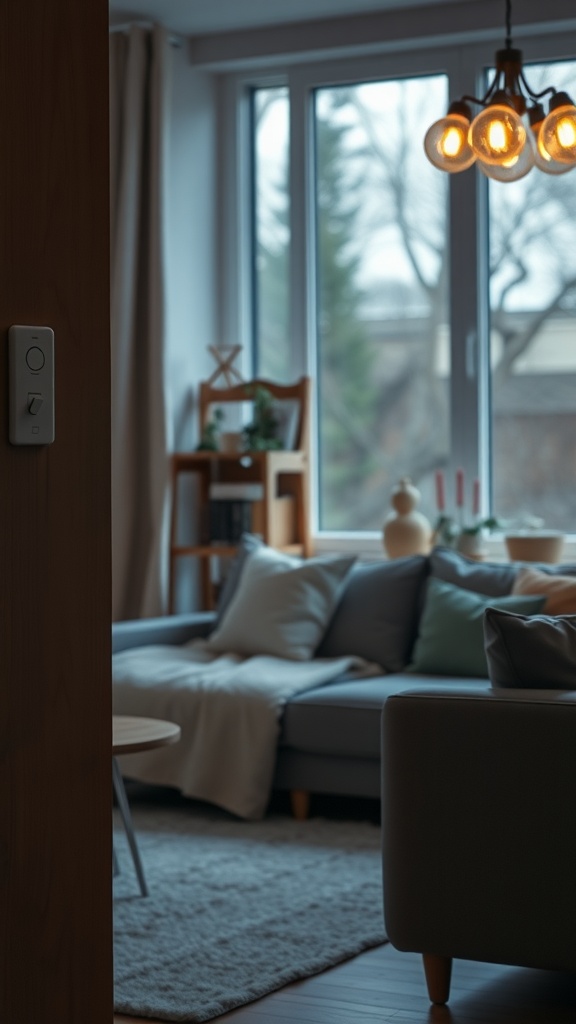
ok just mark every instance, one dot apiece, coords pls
pixel 31 376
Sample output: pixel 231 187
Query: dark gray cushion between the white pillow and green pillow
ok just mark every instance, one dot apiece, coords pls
pixel 378 615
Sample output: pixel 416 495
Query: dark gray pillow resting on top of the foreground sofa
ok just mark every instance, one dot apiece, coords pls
pixel 537 653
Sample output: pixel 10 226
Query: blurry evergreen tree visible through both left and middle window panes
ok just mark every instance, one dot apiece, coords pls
pixel 347 396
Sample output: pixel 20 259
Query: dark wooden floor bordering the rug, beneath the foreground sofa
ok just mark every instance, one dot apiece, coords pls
pixel 384 986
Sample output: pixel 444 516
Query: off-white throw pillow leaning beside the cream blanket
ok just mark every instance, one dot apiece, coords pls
pixel 282 606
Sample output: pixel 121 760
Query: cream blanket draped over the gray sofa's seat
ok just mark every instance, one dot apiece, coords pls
pixel 229 709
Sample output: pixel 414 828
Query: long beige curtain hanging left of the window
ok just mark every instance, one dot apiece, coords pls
pixel 140 69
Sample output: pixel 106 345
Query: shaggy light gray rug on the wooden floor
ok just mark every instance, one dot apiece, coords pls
pixel 237 910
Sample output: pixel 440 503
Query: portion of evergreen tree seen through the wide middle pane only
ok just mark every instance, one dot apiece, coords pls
pixel 348 397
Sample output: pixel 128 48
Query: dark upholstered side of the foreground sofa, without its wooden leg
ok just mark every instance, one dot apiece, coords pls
pixel 479 817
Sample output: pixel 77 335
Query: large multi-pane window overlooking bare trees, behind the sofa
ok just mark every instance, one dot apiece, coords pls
pixel 436 315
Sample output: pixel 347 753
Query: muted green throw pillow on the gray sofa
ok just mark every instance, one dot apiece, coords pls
pixel 450 638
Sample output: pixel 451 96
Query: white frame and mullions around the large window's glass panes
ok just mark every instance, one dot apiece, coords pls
pixel 469 301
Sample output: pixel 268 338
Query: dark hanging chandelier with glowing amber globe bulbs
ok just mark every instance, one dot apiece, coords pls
pixel 513 133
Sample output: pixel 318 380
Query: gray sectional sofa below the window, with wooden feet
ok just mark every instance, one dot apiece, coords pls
pixel 421 619
